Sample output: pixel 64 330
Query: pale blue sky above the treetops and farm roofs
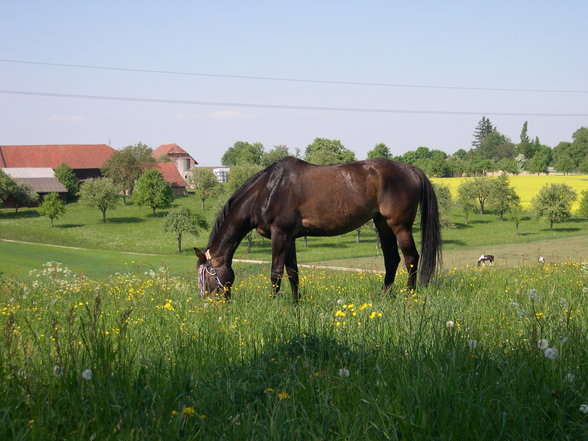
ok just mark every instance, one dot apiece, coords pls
pixel 206 74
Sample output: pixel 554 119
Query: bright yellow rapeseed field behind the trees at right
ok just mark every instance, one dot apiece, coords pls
pixel 528 186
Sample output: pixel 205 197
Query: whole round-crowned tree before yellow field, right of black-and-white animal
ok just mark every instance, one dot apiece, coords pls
pixel 554 203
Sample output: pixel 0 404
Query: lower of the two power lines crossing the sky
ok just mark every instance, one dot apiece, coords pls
pixel 282 106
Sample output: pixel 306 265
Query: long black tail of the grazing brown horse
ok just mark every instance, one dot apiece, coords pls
pixel 430 231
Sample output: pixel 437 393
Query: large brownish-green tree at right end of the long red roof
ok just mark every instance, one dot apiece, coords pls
pixel 125 166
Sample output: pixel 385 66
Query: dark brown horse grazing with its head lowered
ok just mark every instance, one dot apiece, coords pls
pixel 292 198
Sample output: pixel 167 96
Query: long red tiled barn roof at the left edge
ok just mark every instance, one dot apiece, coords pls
pixel 77 156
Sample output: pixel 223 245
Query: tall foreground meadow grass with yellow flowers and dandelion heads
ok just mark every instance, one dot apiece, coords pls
pixel 481 354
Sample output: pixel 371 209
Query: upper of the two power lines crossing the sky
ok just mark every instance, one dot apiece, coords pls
pixel 293 80
